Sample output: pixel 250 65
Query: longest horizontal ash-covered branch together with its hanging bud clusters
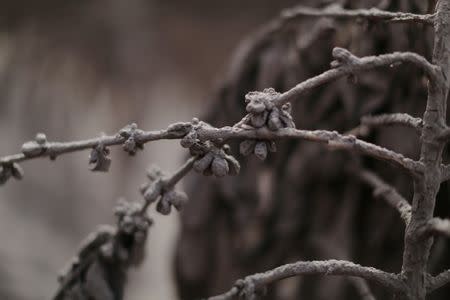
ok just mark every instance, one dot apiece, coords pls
pixel 201 138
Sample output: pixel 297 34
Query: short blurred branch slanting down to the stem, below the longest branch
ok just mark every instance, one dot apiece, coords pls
pixel 382 190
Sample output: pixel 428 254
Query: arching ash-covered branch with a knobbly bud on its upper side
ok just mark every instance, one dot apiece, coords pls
pixel 346 64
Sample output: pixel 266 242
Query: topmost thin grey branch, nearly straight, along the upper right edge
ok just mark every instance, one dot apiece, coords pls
pixel 372 14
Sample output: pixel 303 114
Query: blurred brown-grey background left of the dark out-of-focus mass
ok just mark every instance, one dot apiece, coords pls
pixel 74 69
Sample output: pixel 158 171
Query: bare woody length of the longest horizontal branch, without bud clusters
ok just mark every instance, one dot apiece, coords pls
pixel 206 132
